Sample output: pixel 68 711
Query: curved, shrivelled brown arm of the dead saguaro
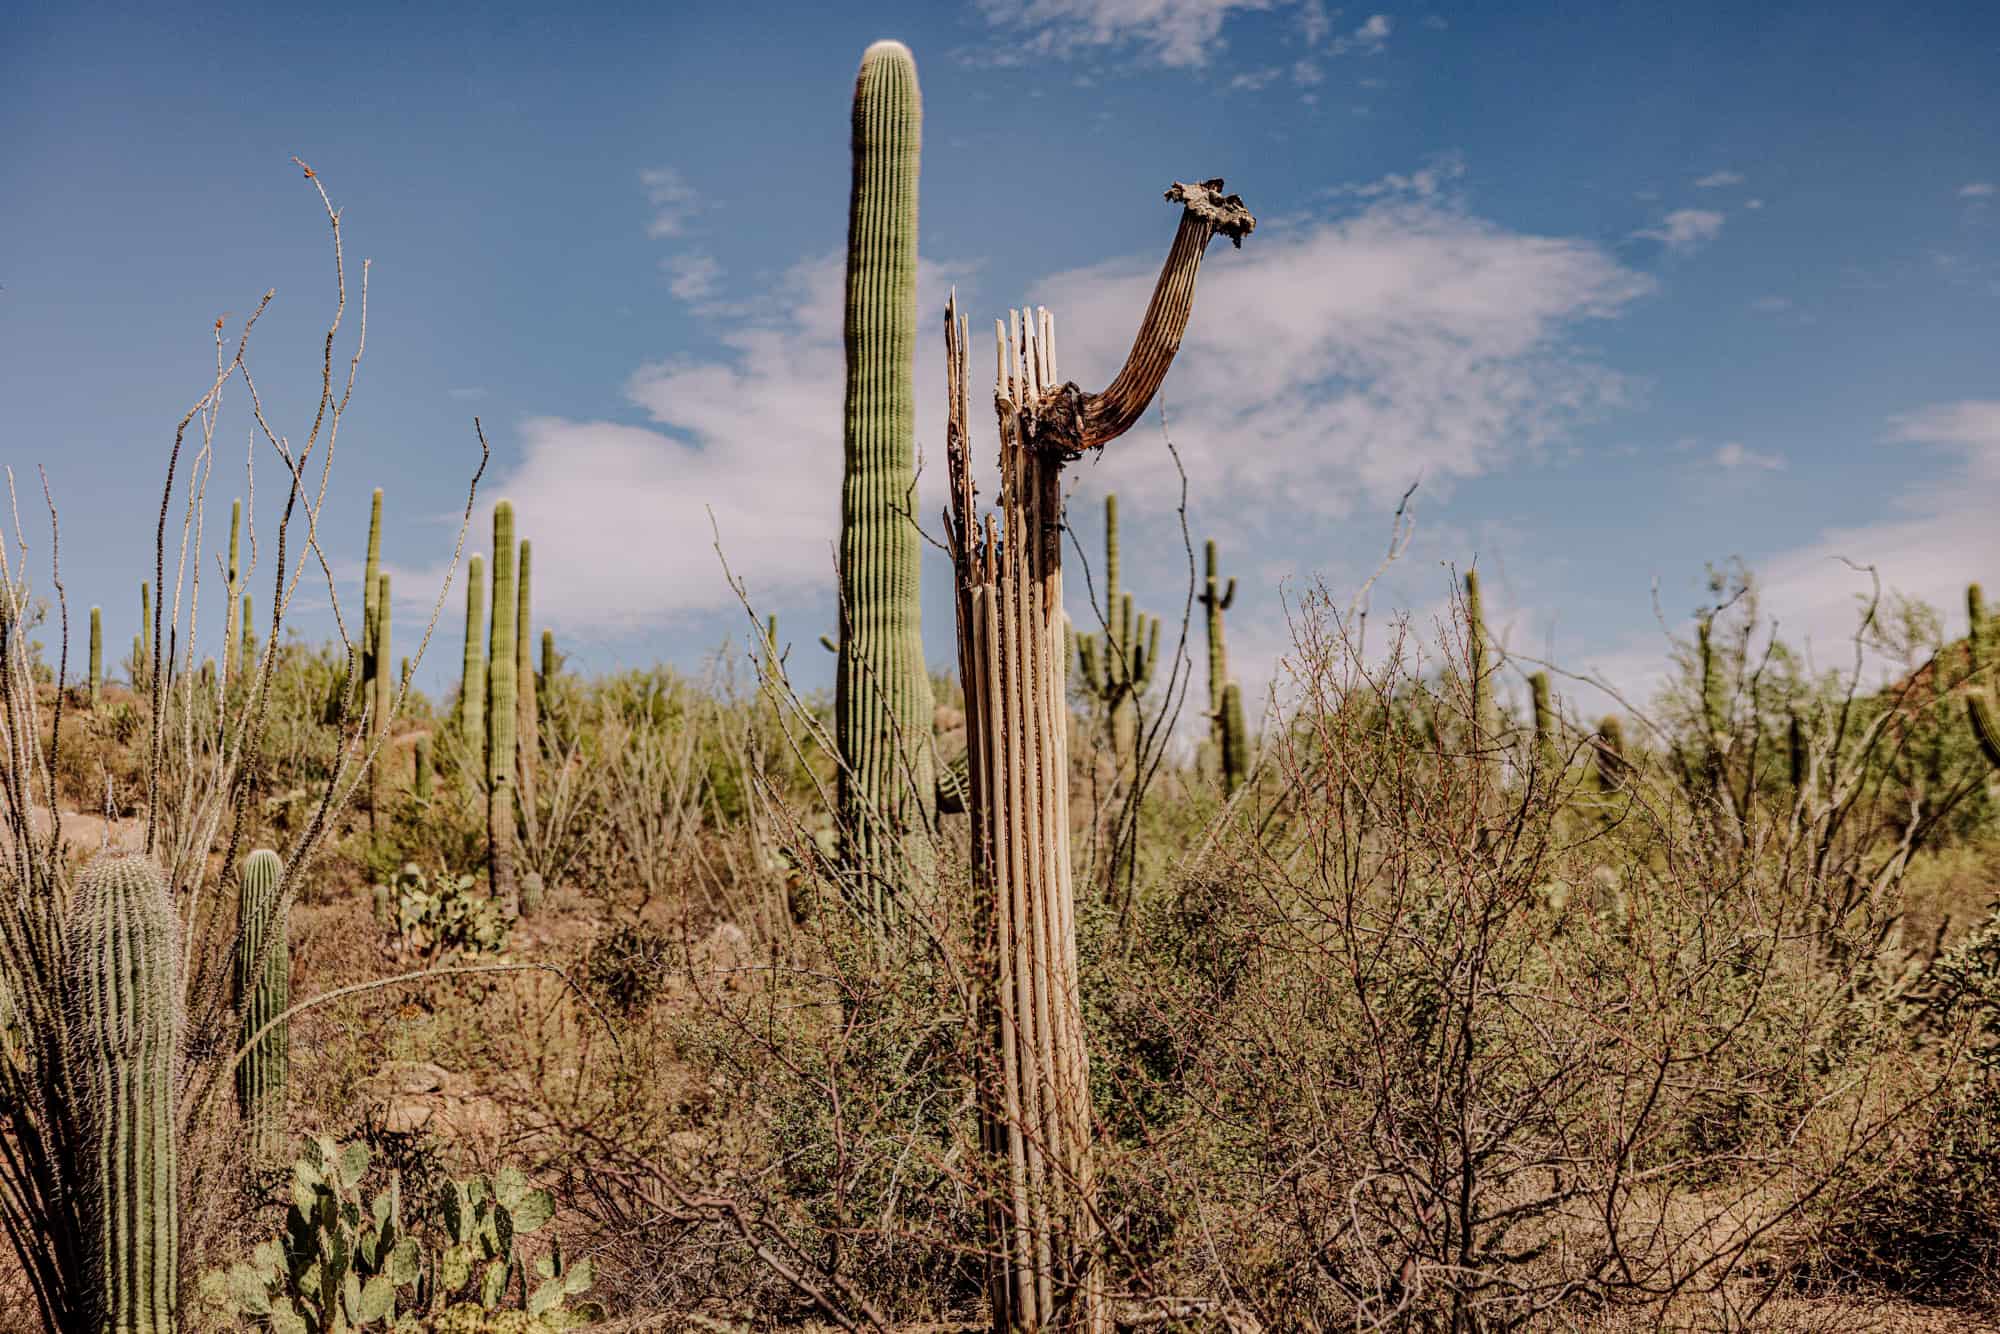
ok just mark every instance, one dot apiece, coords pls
pixel 1065 419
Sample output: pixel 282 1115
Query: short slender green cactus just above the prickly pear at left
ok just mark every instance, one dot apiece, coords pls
pixel 263 993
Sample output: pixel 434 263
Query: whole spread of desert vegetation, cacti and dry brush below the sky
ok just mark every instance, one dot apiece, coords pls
pixel 1069 985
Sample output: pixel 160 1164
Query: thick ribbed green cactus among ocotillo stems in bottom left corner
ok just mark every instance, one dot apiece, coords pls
pixel 123 1045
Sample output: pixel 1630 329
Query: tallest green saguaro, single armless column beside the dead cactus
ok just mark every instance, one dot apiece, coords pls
pixel 883 699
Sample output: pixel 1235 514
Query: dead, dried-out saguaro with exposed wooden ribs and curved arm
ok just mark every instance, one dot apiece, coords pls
pixel 1013 655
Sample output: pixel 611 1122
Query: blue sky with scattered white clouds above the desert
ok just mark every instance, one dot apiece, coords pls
pixel 1629 287
